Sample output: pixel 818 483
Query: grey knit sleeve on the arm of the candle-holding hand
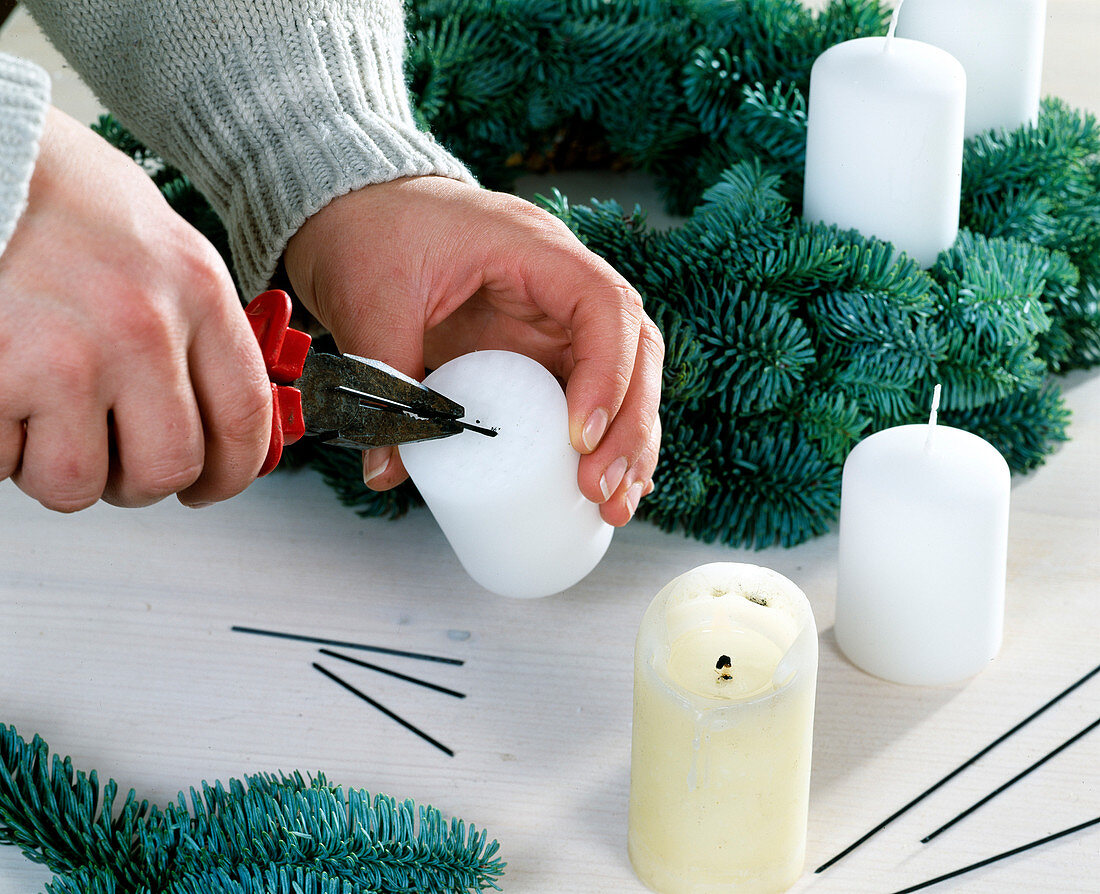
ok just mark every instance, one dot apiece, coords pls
pixel 272 107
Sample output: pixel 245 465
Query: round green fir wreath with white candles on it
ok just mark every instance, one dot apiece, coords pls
pixel 787 341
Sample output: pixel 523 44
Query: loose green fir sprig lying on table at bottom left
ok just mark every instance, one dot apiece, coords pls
pixel 267 834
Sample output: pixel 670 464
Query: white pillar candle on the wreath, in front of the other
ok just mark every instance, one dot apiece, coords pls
pixel 885 144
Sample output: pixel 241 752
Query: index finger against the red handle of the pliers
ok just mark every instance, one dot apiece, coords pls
pixel 233 393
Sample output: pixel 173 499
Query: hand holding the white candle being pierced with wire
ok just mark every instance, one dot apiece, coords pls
pixel 423 270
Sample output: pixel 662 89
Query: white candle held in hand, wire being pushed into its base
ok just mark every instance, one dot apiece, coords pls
pixel 510 506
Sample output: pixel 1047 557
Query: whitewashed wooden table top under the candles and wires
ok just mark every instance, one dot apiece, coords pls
pixel 116 647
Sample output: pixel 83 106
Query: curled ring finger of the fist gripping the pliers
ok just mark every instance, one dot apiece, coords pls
pixel 65 458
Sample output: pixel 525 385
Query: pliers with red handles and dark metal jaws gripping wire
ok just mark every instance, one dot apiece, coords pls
pixel 344 400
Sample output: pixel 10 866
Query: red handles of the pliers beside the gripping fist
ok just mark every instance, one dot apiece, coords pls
pixel 284 351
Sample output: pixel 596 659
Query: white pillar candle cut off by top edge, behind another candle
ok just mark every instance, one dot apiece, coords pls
pixel 1000 46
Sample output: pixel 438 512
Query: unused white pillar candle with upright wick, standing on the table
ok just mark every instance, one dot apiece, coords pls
pixel 925 518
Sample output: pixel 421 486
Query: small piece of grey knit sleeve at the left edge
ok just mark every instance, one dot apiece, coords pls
pixel 25 95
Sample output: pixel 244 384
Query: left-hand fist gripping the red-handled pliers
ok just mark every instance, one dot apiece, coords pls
pixel 129 369
